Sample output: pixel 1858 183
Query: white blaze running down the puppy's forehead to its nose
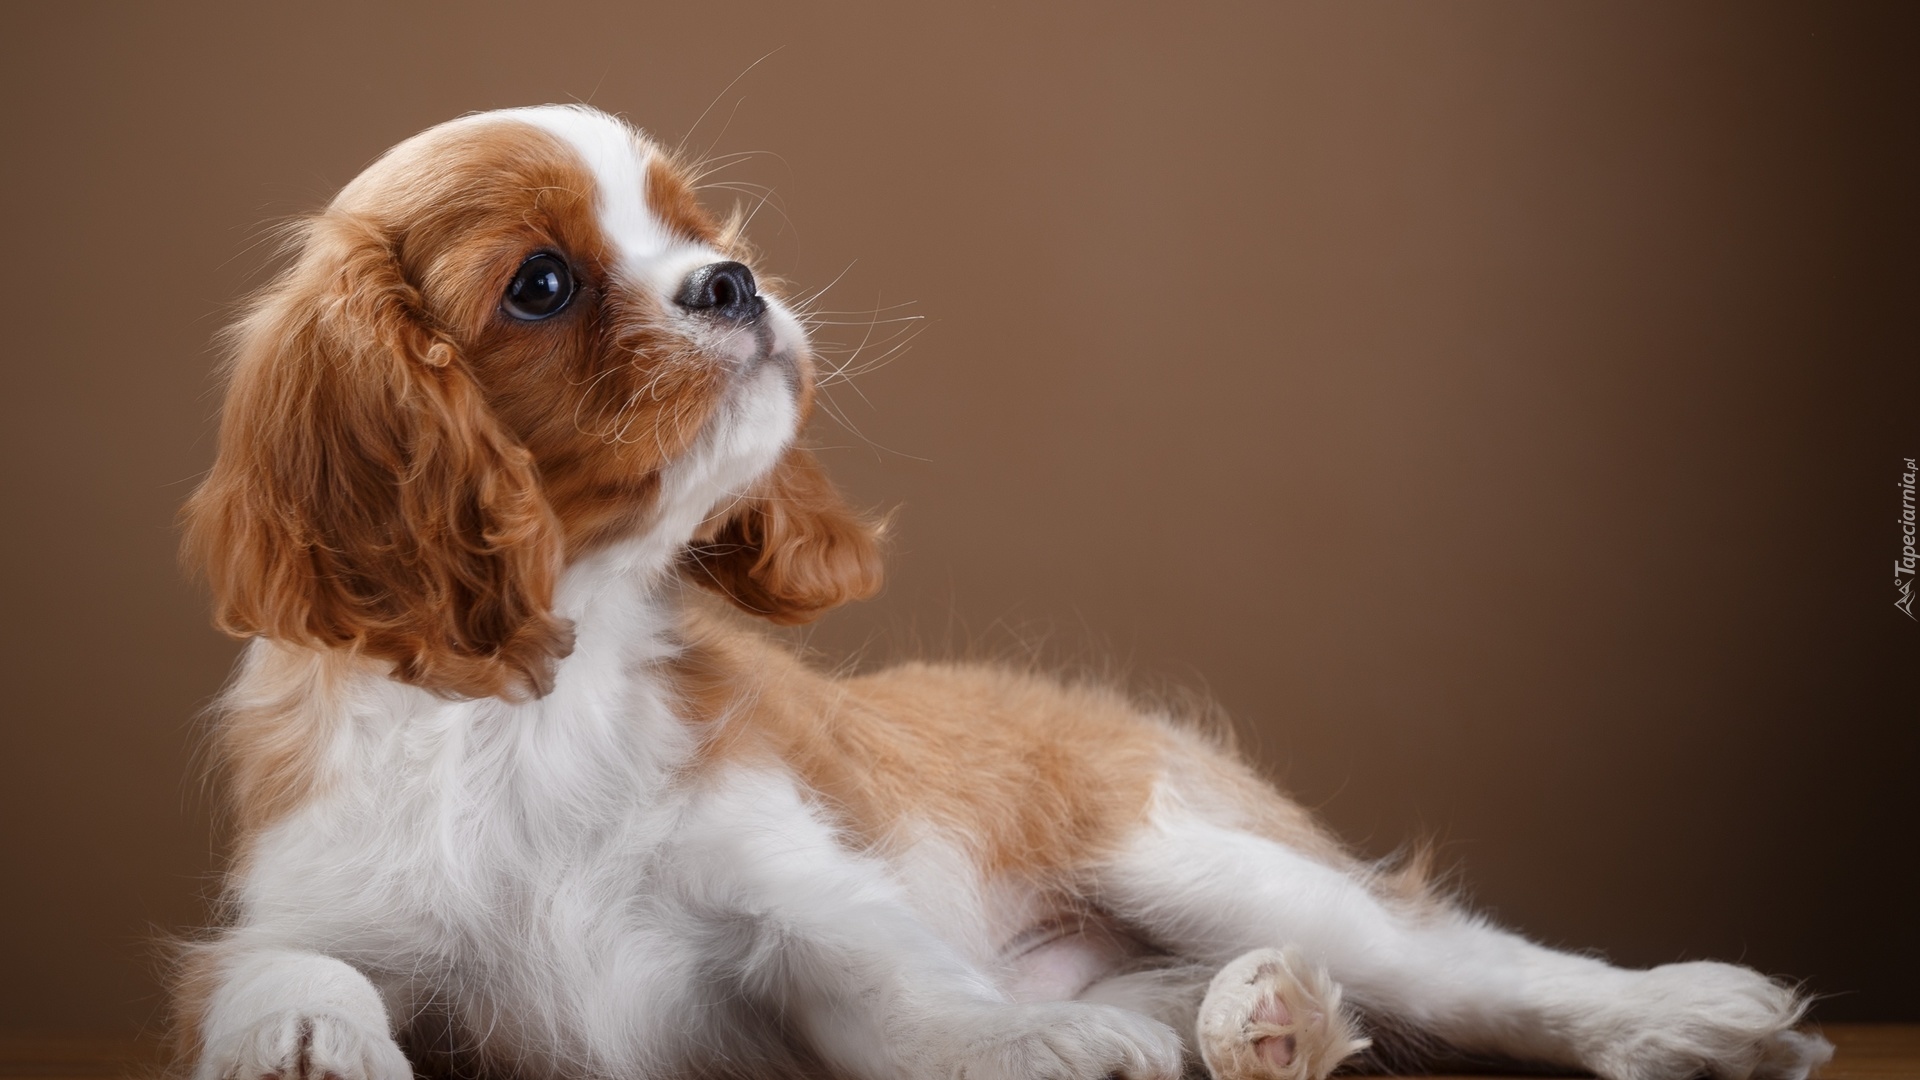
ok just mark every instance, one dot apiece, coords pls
pixel 617 157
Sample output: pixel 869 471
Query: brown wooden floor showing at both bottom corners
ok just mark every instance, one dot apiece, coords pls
pixel 1865 1052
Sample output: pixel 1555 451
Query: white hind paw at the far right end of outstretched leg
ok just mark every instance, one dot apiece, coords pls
pixel 1716 1019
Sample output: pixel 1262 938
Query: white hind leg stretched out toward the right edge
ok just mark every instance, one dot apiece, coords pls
pixel 1216 893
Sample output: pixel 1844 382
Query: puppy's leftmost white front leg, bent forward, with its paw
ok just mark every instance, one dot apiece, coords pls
pixel 295 1016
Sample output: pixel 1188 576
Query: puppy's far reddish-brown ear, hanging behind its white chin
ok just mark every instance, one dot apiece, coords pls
pixel 792 549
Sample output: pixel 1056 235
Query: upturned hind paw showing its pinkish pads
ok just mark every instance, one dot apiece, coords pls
pixel 1270 1016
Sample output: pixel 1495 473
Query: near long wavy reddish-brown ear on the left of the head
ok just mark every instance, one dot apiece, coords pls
pixel 366 497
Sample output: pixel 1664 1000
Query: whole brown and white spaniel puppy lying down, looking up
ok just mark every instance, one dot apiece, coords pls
pixel 516 800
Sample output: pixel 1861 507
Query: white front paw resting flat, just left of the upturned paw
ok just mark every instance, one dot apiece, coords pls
pixel 1067 1041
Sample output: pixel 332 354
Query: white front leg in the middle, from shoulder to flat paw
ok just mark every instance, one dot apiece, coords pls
pixel 828 941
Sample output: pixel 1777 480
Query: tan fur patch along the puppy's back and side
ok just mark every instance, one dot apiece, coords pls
pixel 1034 777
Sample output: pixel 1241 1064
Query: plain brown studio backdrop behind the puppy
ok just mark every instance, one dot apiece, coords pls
pixel 1495 406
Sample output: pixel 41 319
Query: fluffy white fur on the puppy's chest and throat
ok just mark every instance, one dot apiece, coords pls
pixel 502 858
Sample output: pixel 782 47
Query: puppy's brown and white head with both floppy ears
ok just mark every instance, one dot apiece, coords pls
pixel 512 341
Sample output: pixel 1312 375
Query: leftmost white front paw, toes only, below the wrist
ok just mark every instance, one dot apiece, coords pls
pixel 306 1046
